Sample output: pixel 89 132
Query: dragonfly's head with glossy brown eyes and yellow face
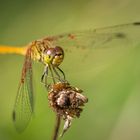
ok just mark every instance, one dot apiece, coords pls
pixel 54 56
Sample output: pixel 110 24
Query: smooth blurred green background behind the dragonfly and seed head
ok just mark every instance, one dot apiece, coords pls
pixel 113 110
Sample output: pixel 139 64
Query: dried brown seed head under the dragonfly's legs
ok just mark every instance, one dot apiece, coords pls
pixel 67 101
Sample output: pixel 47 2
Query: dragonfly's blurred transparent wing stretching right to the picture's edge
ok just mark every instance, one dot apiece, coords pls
pixel 125 34
